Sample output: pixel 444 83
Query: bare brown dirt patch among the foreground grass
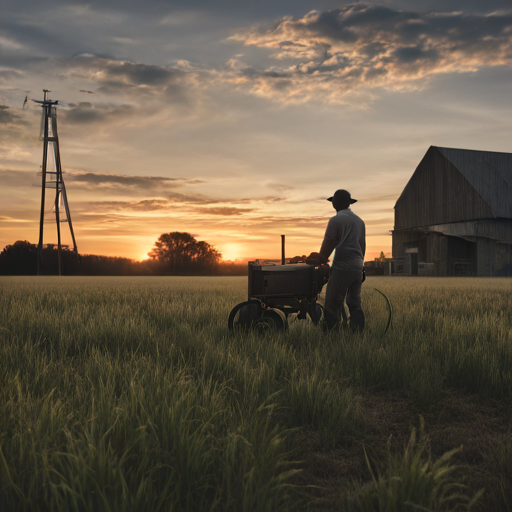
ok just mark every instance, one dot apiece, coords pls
pixel 481 426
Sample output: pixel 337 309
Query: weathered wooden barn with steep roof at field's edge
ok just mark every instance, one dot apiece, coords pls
pixel 454 217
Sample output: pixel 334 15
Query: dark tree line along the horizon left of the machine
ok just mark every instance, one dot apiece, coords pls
pixel 175 253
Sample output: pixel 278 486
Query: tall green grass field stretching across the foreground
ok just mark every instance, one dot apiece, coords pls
pixel 130 394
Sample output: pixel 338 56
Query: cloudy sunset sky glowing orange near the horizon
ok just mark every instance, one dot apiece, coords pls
pixel 234 120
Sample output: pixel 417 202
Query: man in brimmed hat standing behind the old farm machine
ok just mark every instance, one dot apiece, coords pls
pixel 346 233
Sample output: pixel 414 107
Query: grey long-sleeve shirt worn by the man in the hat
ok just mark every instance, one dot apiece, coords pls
pixel 346 233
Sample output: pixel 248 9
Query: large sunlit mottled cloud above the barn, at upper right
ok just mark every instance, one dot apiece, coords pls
pixel 349 52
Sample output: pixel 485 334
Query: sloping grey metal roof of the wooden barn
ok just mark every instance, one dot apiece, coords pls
pixel 488 172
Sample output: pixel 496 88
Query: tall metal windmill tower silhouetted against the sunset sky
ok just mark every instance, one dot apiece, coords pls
pixel 51 173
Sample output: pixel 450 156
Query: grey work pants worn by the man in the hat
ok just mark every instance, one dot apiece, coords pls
pixel 344 286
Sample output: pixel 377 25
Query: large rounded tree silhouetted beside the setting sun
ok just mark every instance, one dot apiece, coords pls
pixel 181 252
